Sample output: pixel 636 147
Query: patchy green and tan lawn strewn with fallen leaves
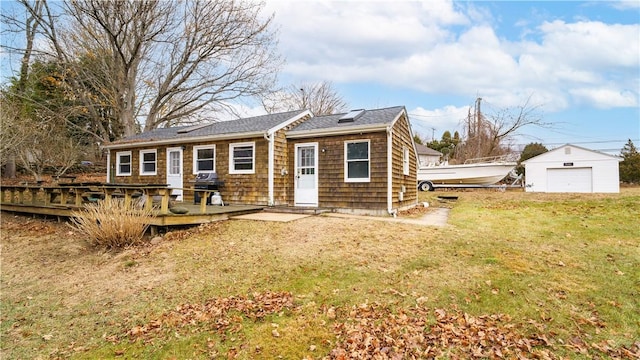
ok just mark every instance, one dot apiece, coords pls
pixel 535 275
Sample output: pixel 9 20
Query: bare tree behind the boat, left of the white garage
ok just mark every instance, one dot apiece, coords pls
pixel 488 134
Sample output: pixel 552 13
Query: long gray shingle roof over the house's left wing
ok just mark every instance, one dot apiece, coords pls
pixel 245 125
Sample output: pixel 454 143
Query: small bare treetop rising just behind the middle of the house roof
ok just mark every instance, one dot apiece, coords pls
pixel 321 98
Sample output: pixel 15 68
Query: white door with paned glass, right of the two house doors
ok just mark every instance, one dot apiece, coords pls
pixel 306 175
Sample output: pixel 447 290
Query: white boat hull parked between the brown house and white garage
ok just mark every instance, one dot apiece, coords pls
pixel 465 174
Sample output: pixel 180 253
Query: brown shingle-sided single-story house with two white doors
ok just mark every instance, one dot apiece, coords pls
pixel 363 161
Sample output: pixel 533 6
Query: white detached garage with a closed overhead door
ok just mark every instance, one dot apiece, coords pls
pixel 572 169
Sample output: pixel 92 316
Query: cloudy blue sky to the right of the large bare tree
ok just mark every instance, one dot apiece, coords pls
pixel 578 61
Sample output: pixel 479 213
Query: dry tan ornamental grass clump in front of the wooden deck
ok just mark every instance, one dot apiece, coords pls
pixel 112 224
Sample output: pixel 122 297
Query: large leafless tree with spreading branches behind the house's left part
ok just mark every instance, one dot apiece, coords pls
pixel 160 63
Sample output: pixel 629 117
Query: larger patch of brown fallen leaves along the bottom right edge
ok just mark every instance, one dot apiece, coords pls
pixel 374 332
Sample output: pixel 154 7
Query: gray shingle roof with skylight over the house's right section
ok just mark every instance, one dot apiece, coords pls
pixel 369 117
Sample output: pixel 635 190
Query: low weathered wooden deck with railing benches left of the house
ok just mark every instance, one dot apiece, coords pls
pixel 62 201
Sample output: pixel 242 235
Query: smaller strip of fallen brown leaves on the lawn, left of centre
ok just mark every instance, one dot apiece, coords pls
pixel 218 314
